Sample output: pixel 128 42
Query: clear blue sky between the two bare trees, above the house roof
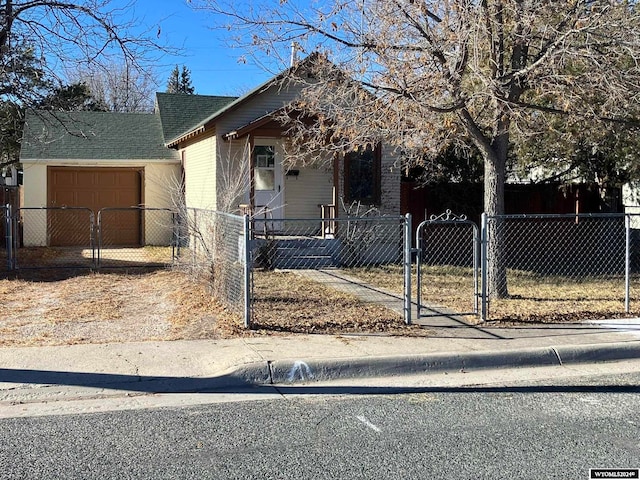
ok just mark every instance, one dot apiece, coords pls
pixel 214 66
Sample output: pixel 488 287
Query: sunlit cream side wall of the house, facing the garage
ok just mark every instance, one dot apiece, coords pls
pixel 200 173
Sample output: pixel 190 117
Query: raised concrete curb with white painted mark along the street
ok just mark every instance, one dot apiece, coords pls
pixel 304 371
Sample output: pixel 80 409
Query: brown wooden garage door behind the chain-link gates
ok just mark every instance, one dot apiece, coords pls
pixel 94 188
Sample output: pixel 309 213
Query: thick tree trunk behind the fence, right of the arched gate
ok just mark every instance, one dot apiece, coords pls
pixel 494 180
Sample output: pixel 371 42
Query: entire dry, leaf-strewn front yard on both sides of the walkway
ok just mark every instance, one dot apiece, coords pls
pixel 57 307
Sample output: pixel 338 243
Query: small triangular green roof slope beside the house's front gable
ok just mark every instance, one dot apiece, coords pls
pixel 181 112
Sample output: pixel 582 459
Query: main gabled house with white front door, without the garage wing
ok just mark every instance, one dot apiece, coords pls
pixel 244 139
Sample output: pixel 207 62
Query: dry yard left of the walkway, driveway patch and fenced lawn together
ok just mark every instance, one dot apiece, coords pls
pixel 62 307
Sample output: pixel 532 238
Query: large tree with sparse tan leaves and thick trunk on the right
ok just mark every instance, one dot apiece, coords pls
pixel 425 74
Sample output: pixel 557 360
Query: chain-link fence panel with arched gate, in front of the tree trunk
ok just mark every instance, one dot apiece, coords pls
pixel 533 268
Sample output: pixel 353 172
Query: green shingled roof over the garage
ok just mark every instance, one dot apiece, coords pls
pixel 94 136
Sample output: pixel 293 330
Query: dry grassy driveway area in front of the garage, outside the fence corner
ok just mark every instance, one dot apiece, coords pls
pixel 52 309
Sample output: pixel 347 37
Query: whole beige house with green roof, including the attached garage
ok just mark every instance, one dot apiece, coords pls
pixel 228 151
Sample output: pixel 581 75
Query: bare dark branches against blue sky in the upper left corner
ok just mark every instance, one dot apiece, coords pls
pixel 67 36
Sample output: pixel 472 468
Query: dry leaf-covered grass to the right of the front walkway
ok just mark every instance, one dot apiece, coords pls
pixel 532 299
